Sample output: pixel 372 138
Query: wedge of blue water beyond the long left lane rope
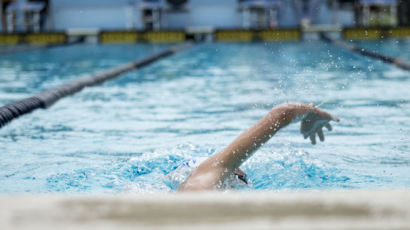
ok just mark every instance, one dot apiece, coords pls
pixel 24 74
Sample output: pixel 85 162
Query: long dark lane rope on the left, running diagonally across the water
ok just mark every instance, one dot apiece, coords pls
pixel 47 98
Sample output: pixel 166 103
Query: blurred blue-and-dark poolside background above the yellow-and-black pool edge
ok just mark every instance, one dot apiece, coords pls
pixel 59 15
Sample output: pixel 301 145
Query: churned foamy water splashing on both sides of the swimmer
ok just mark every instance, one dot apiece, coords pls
pixel 160 171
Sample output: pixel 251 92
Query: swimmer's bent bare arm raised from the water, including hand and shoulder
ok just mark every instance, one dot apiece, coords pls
pixel 213 171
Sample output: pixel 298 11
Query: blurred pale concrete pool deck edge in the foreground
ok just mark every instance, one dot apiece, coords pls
pixel 350 209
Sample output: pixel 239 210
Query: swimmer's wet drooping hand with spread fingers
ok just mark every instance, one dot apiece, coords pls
pixel 313 122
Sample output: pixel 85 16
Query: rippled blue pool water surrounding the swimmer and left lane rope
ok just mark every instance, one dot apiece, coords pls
pixel 127 134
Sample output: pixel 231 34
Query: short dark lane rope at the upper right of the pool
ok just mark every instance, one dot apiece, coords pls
pixel 401 63
